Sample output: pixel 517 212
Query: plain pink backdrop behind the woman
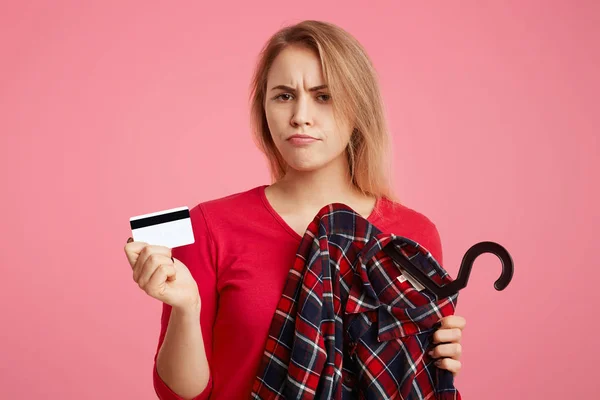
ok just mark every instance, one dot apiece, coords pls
pixel 114 109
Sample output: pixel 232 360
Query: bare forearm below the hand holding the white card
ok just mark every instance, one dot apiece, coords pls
pixel 181 361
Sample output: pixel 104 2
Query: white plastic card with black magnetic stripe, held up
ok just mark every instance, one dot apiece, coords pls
pixel 170 228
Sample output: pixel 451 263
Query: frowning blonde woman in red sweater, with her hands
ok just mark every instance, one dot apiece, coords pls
pixel 318 117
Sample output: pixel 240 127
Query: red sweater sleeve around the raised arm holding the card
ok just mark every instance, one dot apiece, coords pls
pixel 200 258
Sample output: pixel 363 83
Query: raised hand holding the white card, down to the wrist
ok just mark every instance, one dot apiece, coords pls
pixel 161 276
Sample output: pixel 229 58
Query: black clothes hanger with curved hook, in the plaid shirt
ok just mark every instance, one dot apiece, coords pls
pixel 465 268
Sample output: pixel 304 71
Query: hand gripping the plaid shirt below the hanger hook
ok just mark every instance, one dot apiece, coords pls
pixel 449 349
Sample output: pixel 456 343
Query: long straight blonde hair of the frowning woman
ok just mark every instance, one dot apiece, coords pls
pixel 353 85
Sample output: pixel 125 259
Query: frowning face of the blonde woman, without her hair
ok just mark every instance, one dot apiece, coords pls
pixel 299 112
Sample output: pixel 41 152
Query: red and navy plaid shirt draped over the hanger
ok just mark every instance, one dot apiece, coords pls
pixel 348 325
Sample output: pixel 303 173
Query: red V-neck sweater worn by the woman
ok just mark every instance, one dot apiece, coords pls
pixel 242 254
